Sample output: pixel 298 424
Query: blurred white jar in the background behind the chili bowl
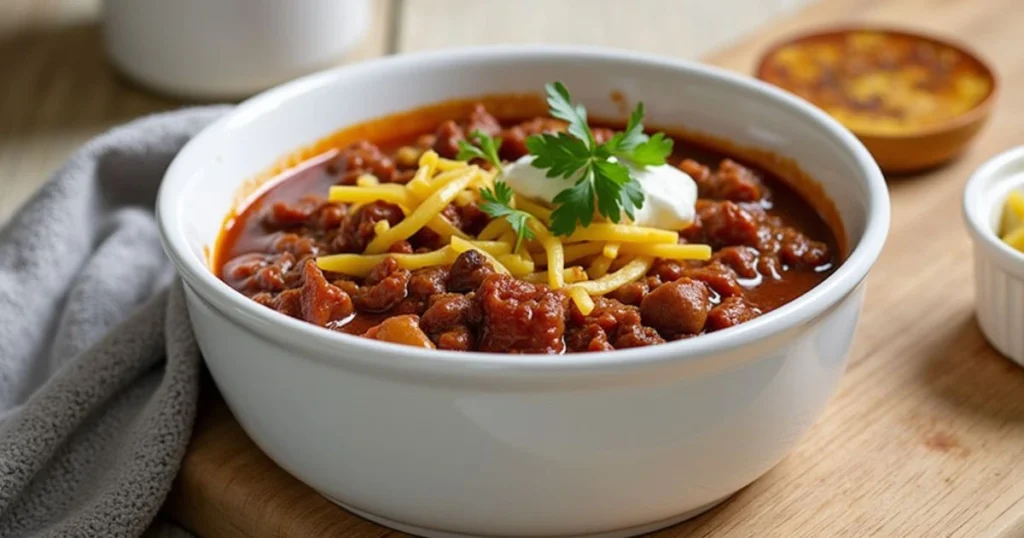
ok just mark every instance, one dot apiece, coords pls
pixel 216 50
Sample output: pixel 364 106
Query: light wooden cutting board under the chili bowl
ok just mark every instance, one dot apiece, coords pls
pixel 926 435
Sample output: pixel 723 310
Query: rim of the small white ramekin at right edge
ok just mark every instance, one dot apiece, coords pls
pixel 977 208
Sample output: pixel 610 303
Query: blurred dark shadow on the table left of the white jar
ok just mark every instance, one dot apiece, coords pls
pixel 59 79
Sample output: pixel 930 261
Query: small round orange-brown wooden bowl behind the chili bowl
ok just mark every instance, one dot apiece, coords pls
pixel 913 148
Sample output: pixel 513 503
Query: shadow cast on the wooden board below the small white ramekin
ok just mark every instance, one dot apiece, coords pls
pixel 966 374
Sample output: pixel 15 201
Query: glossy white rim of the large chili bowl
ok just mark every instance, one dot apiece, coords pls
pixel 323 344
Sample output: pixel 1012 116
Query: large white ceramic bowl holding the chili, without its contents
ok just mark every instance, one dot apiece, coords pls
pixel 480 444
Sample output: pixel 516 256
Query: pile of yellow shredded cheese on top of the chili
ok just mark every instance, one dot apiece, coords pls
pixel 614 255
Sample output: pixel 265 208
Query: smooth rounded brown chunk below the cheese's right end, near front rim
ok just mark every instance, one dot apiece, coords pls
pixel 677 308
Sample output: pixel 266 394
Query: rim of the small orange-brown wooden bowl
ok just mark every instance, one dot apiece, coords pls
pixel 977 113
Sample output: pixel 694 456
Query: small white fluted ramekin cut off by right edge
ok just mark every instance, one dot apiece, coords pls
pixel 999 270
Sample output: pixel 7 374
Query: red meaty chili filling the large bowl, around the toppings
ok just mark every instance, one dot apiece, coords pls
pixel 771 246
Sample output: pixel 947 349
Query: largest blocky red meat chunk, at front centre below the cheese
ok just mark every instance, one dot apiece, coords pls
pixel 519 317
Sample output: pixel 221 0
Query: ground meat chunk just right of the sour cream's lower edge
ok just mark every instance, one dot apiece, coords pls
pixel 723 225
